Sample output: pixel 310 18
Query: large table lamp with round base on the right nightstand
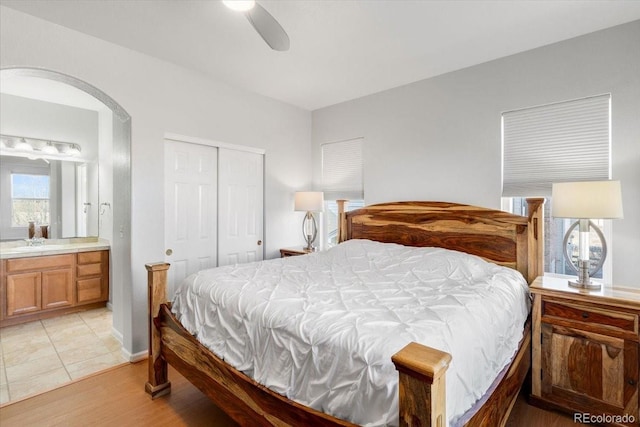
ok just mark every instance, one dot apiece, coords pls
pixel 584 201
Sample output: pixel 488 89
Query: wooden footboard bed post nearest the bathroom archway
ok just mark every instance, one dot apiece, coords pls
pixel 158 384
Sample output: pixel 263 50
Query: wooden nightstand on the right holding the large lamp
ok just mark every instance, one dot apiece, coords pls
pixel 585 351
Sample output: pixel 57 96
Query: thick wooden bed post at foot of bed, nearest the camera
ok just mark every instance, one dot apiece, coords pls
pixel 421 373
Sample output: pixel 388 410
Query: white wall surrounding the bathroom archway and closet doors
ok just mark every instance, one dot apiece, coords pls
pixel 161 97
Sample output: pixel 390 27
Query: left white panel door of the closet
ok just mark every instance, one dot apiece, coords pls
pixel 190 209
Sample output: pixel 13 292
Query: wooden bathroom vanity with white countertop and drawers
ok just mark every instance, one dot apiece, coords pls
pixel 55 278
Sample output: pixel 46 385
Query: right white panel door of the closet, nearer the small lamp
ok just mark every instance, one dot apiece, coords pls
pixel 240 209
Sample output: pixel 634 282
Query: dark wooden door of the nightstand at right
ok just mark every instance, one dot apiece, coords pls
pixel 589 372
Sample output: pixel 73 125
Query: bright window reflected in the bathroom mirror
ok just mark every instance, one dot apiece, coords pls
pixel 29 199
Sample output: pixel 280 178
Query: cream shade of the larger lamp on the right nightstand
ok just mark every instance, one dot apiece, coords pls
pixel 588 200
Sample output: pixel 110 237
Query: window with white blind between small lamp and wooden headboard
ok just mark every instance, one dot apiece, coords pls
pixel 342 167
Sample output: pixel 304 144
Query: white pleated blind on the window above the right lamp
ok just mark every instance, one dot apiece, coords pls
pixel 562 142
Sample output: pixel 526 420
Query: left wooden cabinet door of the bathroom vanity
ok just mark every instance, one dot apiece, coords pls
pixel 23 293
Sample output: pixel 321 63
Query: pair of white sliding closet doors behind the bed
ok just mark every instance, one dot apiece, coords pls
pixel 213 208
